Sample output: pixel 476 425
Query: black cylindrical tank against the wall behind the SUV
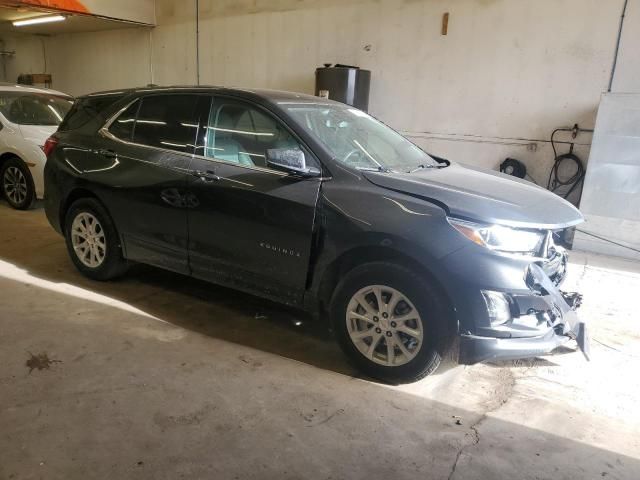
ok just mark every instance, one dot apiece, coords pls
pixel 345 84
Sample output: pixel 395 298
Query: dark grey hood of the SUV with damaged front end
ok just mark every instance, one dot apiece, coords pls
pixel 483 195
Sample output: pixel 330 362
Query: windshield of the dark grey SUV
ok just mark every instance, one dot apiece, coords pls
pixel 359 140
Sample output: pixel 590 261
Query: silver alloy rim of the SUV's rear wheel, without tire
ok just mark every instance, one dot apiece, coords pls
pixel 88 240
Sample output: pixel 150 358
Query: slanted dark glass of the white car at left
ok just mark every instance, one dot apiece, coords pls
pixel 33 108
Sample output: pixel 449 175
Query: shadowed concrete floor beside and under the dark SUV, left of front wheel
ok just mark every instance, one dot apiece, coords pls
pixel 30 244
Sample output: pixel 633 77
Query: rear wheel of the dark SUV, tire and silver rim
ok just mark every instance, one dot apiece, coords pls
pixel 92 241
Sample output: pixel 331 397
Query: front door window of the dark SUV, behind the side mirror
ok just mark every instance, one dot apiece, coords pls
pixel 241 134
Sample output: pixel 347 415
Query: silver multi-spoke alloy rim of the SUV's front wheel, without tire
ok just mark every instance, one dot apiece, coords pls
pixel 384 325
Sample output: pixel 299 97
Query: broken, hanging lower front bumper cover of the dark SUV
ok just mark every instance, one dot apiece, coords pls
pixel 563 325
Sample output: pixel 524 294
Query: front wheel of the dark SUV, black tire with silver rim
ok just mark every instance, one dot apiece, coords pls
pixel 424 303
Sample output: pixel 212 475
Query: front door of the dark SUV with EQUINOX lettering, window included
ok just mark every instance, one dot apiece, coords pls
pixel 251 226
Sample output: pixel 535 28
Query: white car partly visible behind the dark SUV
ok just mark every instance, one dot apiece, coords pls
pixel 28 116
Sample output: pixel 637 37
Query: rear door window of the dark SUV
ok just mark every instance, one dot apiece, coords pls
pixel 167 121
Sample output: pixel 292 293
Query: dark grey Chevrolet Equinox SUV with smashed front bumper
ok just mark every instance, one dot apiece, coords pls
pixel 317 205
